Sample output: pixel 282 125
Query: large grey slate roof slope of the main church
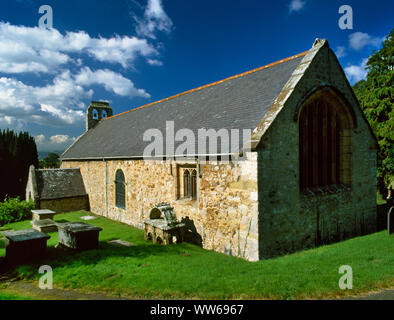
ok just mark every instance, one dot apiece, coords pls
pixel 238 102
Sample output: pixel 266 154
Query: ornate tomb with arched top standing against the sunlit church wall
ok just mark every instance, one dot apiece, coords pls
pixel 162 225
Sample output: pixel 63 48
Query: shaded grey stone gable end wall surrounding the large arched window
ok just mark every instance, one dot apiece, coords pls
pixel 289 220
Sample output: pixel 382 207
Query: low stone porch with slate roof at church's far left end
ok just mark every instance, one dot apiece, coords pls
pixel 60 190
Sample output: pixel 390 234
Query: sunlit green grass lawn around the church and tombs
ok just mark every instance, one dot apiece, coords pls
pixel 187 271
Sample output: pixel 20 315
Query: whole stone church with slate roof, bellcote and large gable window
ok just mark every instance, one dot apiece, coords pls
pixel 308 174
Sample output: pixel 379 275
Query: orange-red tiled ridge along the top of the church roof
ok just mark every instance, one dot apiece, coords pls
pixel 213 83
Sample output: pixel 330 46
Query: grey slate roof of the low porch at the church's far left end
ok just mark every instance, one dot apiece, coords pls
pixel 59 183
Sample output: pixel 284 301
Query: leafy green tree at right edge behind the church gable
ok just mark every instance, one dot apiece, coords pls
pixel 376 97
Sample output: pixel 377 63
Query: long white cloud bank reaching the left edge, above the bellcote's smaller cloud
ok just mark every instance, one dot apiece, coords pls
pixel 33 49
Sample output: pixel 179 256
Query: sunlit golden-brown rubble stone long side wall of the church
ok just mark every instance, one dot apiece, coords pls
pixel 223 218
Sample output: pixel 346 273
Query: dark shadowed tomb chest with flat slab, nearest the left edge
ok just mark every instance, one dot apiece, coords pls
pixel 24 245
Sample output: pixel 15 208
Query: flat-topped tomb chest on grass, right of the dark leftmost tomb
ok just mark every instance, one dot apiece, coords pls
pixel 78 235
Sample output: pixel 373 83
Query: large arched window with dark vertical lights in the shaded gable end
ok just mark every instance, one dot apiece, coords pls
pixel 324 142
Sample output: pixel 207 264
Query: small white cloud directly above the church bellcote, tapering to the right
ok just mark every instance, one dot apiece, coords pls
pixel 111 81
